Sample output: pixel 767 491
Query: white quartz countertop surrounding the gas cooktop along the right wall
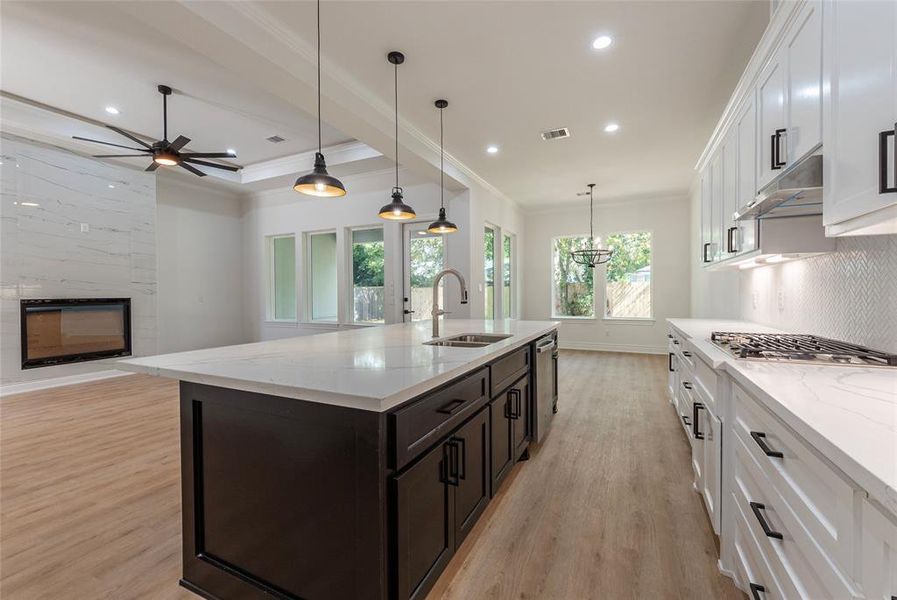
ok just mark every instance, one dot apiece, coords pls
pixel 849 414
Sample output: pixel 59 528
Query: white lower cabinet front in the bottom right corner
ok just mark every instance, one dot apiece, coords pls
pixel 879 556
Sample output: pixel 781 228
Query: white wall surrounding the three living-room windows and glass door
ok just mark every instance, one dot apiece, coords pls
pixel 283 211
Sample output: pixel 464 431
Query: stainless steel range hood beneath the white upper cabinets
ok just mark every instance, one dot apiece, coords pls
pixel 796 192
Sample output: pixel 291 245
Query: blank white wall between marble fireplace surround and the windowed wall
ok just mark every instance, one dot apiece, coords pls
pixel 199 234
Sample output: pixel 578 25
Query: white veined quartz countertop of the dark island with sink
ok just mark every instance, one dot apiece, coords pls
pixel 371 368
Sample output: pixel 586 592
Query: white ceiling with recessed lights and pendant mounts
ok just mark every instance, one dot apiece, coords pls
pixel 508 69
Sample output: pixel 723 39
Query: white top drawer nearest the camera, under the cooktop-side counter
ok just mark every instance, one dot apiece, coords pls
pixel 823 502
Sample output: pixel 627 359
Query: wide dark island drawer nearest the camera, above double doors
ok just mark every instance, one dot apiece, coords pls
pixel 416 427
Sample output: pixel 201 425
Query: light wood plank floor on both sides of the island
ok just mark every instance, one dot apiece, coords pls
pixel 90 498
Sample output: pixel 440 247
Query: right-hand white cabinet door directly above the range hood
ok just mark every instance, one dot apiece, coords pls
pixel 803 57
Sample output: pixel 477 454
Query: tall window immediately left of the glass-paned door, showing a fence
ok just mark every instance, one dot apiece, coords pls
pixel 367 275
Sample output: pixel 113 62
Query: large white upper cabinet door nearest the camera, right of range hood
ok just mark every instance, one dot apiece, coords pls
pixel 859 113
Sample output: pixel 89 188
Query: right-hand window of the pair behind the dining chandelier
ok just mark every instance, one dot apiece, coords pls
pixel 628 292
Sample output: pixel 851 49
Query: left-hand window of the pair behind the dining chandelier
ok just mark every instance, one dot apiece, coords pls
pixel 573 292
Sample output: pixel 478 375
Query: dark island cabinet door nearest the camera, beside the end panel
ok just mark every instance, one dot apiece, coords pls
pixel 424 520
